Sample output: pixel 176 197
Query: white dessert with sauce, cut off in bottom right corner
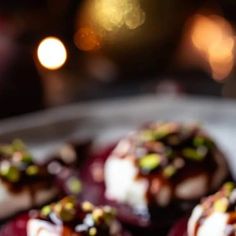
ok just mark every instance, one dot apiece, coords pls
pixel 215 215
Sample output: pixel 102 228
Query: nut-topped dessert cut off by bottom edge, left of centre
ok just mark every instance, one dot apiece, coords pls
pixel 69 218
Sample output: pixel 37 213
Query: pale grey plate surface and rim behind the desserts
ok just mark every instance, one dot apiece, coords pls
pixel 106 122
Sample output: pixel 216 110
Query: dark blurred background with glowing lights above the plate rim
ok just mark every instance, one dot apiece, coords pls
pixel 54 53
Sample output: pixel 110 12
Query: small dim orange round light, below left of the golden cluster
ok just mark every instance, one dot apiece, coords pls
pixel 86 39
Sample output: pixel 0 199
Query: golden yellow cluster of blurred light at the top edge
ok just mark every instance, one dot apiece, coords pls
pixel 113 14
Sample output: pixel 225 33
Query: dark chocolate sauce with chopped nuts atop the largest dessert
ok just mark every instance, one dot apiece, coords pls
pixel 166 153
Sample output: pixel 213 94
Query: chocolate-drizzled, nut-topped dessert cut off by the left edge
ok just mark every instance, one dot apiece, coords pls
pixel 23 183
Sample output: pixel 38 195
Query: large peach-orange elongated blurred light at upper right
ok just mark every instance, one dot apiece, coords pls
pixel 213 37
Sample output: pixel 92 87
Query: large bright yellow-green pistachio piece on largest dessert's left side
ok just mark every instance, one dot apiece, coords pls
pixel 150 161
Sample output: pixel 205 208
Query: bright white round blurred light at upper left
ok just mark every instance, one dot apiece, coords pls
pixel 52 53
